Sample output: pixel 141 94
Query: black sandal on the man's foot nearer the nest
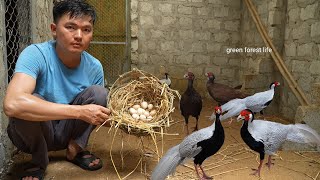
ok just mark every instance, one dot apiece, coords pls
pixel 84 162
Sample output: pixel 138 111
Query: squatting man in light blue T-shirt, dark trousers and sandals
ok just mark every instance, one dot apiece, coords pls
pixel 56 96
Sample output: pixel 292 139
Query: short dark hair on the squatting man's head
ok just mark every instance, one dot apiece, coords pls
pixel 75 8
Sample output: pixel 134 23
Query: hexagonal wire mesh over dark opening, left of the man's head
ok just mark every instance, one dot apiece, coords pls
pixel 17 26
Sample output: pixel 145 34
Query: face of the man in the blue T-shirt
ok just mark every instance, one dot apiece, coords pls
pixel 72 35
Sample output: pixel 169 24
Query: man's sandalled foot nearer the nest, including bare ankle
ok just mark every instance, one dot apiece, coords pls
pixel 83 159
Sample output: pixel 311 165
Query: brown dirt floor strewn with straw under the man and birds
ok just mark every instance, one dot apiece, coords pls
pixel 233 161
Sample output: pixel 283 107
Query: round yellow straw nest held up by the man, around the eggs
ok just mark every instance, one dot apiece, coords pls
pixel 133 88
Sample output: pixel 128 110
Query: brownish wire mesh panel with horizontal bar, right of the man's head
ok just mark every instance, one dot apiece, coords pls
pixel 109 39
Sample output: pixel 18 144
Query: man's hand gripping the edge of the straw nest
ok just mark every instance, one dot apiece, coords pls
pixel 94 114
